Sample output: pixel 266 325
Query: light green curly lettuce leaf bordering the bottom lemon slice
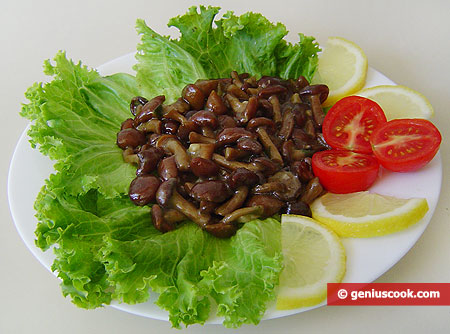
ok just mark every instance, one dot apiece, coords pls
pixel 244 275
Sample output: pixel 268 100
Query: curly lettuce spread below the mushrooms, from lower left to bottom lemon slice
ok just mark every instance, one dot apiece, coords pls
pixel 107 249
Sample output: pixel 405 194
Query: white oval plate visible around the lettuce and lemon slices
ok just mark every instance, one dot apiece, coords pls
pixel 367 259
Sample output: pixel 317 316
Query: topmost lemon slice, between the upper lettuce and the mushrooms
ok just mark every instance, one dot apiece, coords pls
pixel 342 67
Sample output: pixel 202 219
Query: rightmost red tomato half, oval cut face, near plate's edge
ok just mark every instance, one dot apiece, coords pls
pixel 404 145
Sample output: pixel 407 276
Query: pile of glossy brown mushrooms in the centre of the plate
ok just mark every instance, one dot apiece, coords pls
pixel 228 151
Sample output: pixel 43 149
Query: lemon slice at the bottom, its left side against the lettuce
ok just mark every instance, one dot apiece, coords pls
pixel 313 256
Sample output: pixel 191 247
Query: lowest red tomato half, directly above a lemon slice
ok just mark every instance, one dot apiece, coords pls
pixel 345 171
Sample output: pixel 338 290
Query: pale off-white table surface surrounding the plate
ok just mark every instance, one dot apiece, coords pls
pixel 406 40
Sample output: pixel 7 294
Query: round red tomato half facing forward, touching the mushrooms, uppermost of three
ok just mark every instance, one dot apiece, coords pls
pixel 350 122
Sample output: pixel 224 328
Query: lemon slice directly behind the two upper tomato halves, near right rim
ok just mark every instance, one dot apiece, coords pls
pixel 399 101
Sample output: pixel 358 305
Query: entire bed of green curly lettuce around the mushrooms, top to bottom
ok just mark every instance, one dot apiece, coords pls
pixel 106 247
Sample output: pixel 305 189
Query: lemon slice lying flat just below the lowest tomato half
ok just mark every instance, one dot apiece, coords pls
pixel 364 214
